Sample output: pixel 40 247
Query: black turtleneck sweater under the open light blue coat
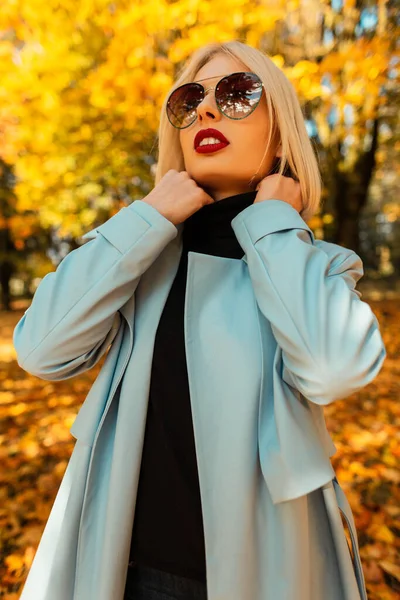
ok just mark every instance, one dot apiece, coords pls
pixel 168 526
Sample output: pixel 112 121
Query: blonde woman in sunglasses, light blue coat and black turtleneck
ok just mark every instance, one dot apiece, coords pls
pixel 201 468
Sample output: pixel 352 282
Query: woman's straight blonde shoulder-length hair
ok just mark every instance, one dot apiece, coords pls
pixel 284 112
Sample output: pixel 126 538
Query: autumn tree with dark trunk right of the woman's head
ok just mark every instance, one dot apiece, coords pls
pixel 342 57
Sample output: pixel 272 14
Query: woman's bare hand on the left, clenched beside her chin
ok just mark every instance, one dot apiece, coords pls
pixel 177 196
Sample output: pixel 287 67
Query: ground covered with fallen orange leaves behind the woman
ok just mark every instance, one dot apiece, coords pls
pixel 35 446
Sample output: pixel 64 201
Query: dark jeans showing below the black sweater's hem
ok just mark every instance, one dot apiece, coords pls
pixel 145 583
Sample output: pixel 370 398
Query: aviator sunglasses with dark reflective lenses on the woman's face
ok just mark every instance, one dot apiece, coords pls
pixel 237 95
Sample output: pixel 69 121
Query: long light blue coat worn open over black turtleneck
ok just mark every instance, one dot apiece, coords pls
pixel 270 340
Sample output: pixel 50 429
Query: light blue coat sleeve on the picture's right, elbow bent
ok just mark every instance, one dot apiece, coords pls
pixel 330 338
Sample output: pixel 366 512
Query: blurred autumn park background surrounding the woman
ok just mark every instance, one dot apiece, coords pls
pixel 81 88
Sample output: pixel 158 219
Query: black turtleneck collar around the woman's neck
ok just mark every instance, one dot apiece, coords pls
pixel 209 230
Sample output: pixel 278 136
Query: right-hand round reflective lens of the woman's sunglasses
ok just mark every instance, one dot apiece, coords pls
pixel 238 94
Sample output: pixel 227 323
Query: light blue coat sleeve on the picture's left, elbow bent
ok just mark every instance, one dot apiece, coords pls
pixel 73 316
